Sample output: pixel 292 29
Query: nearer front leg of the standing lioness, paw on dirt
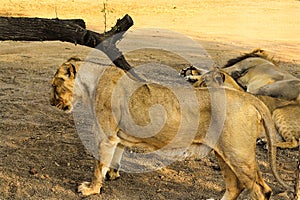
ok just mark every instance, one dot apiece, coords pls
pixel 107 150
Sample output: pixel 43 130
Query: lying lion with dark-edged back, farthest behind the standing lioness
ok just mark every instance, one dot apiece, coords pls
pixel 259 75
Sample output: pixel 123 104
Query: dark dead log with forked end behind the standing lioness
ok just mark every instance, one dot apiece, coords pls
pixel 74 31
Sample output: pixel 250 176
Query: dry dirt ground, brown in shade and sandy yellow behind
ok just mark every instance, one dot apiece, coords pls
pixel 42 156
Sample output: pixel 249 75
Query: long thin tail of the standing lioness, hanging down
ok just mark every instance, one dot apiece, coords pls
pixel 270 130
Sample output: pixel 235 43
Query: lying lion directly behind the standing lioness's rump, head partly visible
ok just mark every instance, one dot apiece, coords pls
pixel 284 112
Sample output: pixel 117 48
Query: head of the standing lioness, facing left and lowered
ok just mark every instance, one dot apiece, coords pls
pixel 62 87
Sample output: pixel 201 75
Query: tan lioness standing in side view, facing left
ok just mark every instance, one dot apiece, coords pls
pixel 235 148
